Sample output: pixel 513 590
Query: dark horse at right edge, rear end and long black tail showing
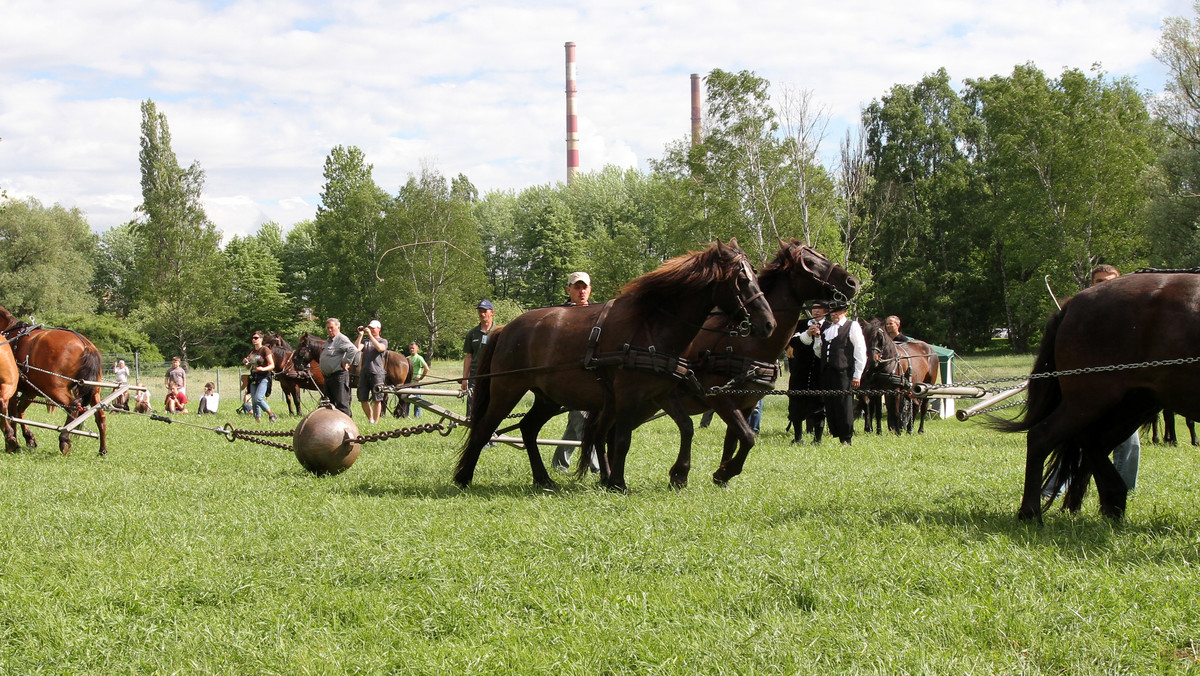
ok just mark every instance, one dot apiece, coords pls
pixel 1137 364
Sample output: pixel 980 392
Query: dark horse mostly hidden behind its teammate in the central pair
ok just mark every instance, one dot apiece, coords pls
pixel 795 277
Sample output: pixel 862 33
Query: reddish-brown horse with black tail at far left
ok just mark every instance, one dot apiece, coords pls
pixel 53 364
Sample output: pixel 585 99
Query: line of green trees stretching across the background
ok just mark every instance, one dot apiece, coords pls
pixel 957 207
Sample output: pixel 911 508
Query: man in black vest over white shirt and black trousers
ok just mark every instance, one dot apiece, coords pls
pixel 839 343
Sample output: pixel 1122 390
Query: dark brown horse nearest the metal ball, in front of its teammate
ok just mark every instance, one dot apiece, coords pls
pixel 615 360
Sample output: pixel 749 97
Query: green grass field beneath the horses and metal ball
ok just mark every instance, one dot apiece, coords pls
pixel 183 553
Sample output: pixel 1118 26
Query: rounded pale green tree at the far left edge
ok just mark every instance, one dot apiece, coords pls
pixel 46 258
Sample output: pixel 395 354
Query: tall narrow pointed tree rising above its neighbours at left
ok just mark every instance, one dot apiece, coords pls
pixel 181 276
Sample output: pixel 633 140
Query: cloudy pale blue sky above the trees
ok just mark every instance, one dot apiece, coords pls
pixel 259 92
